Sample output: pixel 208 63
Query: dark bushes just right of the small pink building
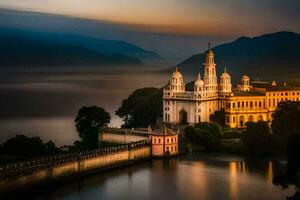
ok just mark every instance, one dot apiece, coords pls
pixel 207 135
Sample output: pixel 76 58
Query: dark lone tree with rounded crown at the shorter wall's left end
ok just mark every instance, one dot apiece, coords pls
pixel 88 122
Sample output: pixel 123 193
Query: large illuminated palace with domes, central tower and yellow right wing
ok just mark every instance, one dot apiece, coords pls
pixel 247 102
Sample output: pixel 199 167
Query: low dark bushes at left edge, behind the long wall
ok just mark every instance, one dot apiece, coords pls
pixel 21 145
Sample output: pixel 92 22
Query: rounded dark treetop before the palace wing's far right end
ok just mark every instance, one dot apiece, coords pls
pixel 286 118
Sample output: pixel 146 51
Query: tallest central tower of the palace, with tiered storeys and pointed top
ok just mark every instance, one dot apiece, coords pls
pixel 210 74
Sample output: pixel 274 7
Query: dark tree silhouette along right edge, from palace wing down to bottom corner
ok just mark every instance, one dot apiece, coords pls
pixel 285 126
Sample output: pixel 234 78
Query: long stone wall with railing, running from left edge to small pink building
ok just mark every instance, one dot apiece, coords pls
pixel 22 174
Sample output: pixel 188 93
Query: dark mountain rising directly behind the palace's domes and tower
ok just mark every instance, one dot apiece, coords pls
pixel 263 57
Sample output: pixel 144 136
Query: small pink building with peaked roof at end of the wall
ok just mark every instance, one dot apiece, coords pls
pixel 164 142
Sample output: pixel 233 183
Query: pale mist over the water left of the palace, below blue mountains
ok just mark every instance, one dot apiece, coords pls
pixel 44 101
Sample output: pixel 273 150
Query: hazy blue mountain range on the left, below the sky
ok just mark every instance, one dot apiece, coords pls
pixel 19 47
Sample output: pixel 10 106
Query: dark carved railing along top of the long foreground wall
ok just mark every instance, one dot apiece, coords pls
pixel 29 166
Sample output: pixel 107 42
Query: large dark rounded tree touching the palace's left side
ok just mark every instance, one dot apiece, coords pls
pixel 141 108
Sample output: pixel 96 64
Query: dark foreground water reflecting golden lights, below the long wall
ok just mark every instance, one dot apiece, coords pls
pixel 193 176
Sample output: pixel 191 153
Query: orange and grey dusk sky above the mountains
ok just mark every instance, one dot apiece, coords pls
pixel 191 17
